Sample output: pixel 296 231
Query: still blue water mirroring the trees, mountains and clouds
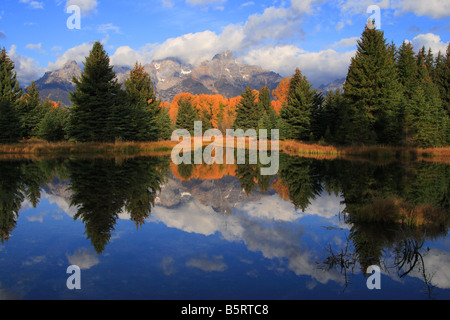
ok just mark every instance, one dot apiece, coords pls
pixel 143 228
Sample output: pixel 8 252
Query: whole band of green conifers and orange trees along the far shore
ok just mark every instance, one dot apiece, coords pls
pixel 396 96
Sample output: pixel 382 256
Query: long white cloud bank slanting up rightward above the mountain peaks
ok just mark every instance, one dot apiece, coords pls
pixel 274 25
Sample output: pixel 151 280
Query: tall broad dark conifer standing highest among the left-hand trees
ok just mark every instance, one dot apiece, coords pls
pixel 99 111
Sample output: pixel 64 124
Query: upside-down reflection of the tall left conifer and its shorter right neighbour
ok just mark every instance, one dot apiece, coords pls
pixel 101 189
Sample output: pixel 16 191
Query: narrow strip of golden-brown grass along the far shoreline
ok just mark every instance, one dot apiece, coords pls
pixel 291 147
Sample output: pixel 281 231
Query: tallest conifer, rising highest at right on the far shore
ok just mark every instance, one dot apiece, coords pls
pixel 371 90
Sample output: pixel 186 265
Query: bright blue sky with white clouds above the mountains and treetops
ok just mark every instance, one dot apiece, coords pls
pixel 317 36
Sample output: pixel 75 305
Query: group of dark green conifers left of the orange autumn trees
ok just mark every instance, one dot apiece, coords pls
pixel 102 110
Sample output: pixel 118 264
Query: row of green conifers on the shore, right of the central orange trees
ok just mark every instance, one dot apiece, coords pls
pixel 391 96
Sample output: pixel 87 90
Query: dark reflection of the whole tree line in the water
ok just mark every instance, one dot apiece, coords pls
pixel 394 206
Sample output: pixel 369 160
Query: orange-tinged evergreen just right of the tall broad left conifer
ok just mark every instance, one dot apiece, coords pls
pixel 144 105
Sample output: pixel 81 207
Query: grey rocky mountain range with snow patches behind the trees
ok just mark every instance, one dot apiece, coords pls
pixel 223 75
